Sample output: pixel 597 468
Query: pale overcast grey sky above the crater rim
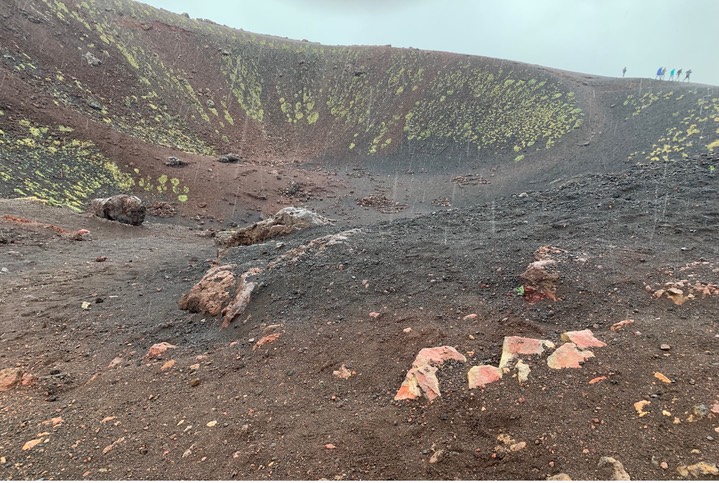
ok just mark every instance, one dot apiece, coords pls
pixel 591 36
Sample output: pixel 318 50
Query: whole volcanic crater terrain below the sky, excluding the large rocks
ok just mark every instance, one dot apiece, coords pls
pixel 446 175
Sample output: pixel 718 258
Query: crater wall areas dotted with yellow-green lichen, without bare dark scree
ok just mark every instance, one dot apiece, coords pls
pixel 87 72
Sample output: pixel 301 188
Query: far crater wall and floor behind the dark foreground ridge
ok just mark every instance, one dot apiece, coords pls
pixel 96 95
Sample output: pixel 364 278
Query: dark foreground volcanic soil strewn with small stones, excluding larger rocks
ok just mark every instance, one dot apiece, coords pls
pixel 228 409
